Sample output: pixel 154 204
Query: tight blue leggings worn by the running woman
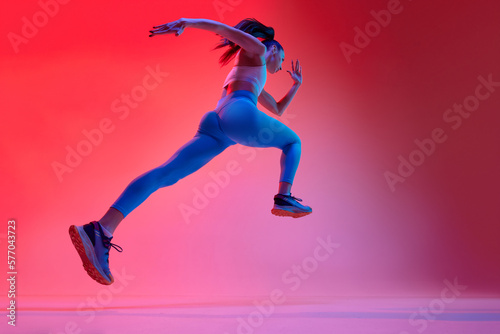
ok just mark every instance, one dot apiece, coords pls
pixel 236 119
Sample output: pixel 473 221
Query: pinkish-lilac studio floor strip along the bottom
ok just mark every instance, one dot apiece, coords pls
pixel 340 316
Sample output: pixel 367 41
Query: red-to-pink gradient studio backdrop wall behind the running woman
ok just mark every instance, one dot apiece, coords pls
pixel 354 120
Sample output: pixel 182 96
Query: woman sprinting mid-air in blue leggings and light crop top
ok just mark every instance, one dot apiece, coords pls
pixel 235 119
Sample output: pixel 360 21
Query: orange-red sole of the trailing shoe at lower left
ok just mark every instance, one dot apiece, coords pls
pixel 85 249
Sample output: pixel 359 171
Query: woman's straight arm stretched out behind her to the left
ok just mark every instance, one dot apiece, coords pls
pixel 246 41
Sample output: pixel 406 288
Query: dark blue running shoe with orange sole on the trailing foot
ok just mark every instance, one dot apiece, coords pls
pixel 93 247
